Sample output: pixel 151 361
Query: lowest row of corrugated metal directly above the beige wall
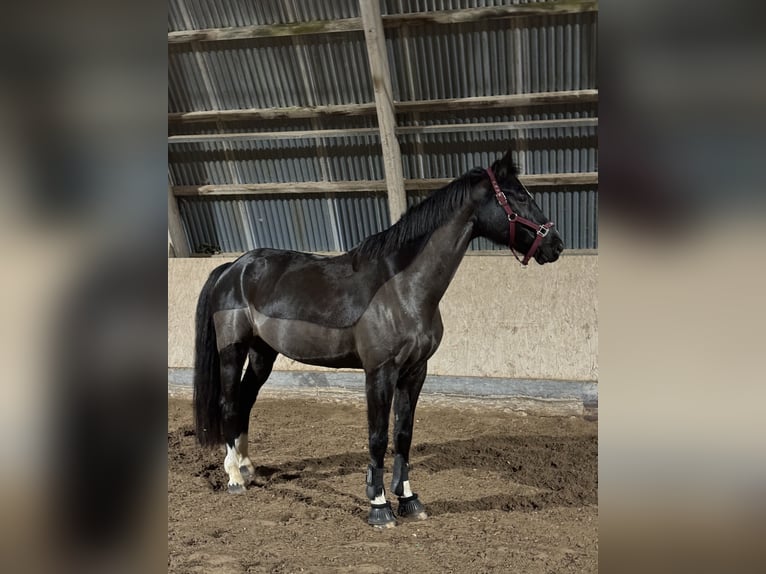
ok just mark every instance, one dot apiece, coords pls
pixel 339 222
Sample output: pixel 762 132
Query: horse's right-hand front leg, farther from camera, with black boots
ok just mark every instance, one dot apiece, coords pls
pixel 407 392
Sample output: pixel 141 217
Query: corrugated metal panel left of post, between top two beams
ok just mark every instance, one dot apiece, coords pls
pixel 269 72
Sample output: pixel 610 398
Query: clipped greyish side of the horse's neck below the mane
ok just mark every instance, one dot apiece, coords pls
pixel 436 265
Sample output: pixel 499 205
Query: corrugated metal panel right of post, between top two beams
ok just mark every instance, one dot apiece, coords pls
pixel 492 57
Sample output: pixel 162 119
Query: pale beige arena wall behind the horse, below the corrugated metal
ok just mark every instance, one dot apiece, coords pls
pixel 500 320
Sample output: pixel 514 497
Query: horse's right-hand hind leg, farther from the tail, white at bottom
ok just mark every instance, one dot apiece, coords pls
pixel 262 358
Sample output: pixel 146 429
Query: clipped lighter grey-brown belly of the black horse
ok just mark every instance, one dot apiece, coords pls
pixel 307 342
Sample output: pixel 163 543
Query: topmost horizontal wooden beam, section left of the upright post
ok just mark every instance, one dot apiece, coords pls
pixel 265 31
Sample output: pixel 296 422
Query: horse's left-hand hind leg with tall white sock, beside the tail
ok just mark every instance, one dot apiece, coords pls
pixel 232 360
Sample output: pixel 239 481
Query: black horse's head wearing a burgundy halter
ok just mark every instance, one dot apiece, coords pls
pixel 507 214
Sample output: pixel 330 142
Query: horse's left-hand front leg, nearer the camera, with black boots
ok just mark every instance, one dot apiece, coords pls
pixel 379 386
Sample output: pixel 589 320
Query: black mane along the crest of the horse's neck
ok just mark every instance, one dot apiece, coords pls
pixel 420 220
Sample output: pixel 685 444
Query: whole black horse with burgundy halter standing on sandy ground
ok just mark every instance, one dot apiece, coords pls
pixel 374 308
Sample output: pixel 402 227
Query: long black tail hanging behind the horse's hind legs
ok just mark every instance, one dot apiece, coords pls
pixel 207 377
